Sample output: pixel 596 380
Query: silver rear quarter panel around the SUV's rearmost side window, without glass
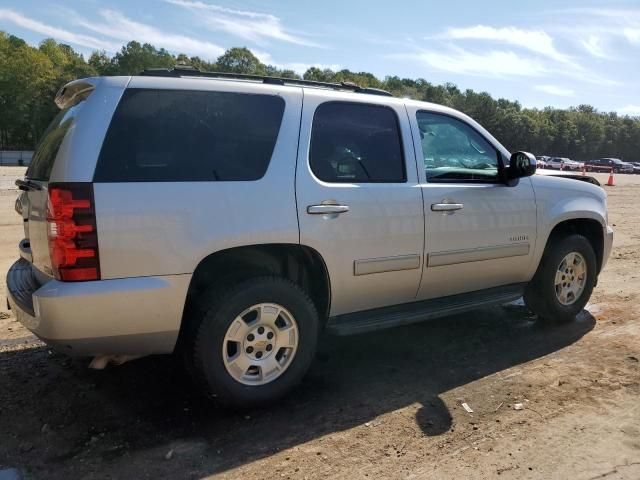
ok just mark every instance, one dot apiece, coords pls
pixel 163 228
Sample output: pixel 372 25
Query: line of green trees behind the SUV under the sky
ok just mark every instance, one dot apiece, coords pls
pixel 30 78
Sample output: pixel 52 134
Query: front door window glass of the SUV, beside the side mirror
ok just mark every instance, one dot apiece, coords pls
pixel 453 151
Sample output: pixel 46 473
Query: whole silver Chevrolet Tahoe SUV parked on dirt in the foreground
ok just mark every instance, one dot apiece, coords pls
pixel 232 220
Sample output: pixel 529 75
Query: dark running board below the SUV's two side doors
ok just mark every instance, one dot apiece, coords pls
pixel 405 314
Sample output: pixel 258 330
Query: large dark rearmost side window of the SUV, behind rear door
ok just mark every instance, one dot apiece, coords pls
pixel 175 135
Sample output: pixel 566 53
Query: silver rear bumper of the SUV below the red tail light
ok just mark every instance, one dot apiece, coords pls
pixel 134 316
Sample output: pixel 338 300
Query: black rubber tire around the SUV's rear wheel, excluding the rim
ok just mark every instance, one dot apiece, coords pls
pixel 218 309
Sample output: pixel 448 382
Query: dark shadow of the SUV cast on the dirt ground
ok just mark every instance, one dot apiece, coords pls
pixel 148 405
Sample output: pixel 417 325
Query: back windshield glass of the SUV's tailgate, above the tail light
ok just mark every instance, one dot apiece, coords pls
pixel 47 149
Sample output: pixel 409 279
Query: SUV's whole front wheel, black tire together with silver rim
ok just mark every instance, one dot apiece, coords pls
pixel 564 280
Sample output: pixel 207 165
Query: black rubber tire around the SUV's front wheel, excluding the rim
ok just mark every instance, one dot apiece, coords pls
pixel 540 294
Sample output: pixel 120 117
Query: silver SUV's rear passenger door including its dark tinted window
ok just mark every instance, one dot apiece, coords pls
pixel 358 199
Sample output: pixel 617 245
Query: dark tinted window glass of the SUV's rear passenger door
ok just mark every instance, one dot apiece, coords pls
pixel 356 143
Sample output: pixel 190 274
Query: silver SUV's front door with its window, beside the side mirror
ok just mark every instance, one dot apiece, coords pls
pixel 480 233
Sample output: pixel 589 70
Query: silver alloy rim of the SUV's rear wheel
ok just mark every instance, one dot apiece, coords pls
pixel 260 344
